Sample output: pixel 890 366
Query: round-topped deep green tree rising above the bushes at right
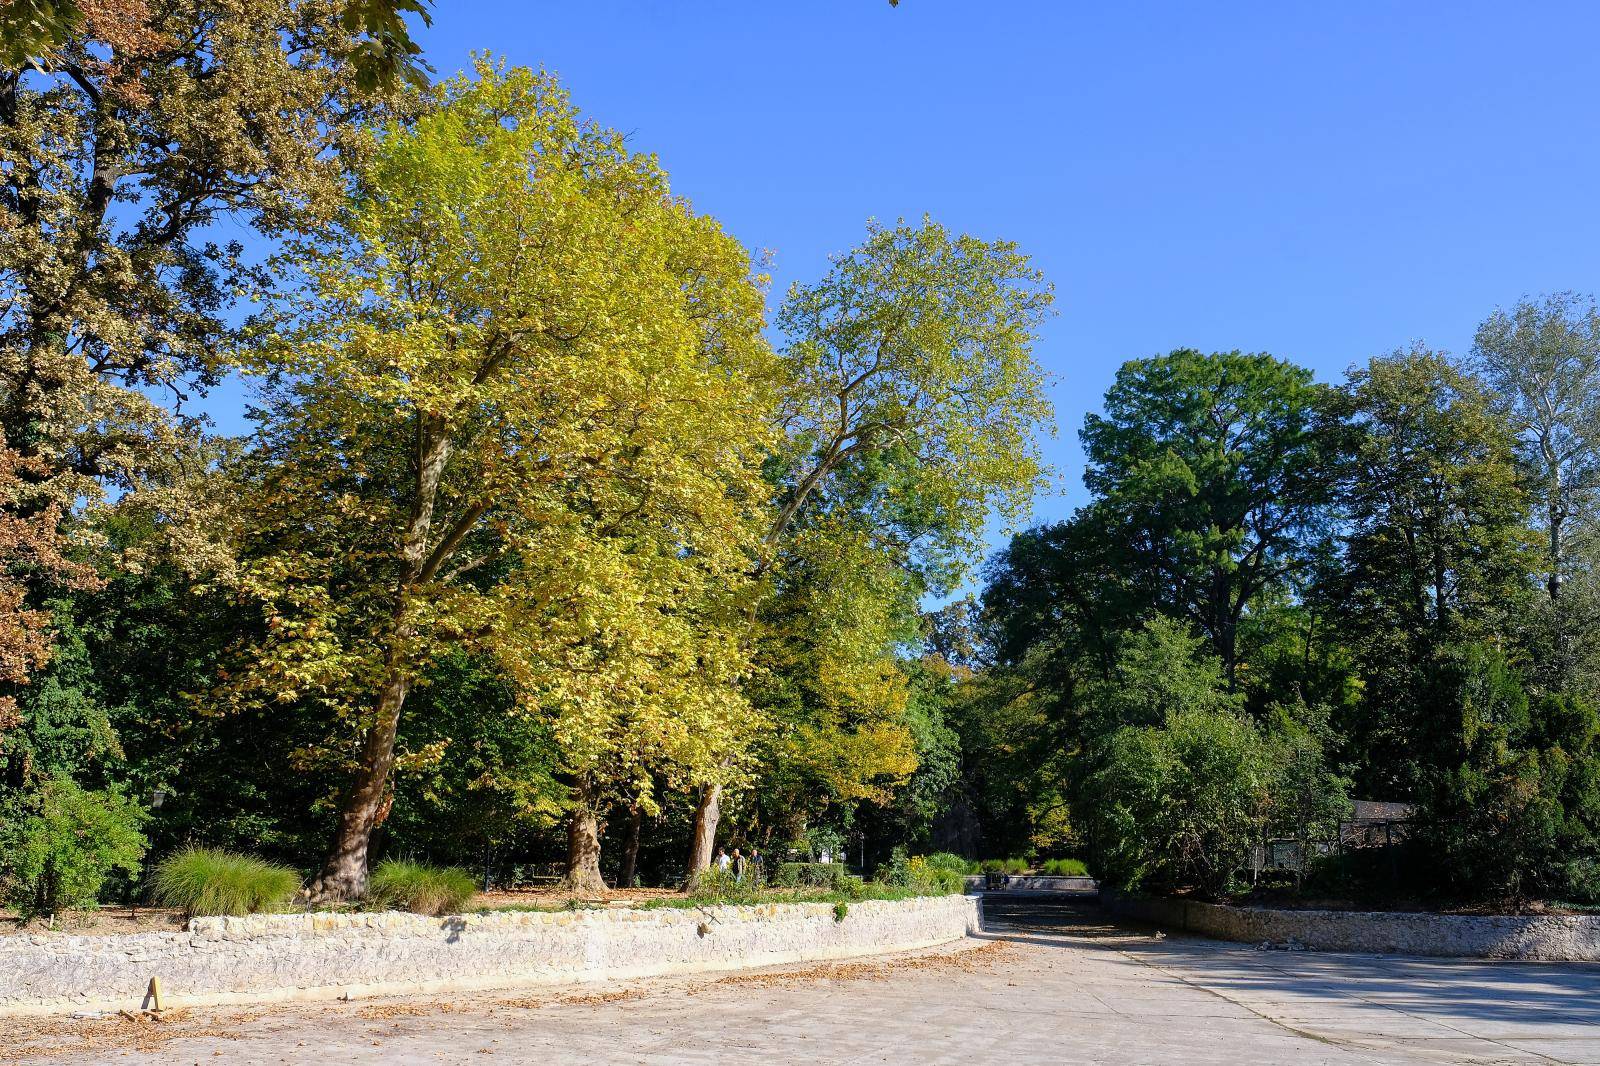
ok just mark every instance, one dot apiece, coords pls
pixel 1215 473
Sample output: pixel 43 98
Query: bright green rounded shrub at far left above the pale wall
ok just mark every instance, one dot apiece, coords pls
pixel 62 846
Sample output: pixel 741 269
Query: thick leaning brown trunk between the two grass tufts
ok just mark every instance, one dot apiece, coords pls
pixel 345 876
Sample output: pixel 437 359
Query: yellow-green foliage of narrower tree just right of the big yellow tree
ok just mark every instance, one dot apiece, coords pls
pixel 913 409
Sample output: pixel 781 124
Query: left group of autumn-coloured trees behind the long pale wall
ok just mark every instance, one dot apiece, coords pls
pixel 546 543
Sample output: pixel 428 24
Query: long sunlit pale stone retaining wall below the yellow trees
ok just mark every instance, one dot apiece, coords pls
pixel 330 956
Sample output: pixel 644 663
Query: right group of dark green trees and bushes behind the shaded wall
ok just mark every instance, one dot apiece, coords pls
pixel 1287 595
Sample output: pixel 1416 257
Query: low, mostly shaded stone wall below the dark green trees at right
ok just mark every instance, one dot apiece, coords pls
pixel 1574 939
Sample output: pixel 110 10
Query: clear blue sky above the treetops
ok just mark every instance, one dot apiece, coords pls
pixel 1319 182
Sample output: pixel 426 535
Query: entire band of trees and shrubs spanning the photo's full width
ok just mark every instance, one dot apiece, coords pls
pixel 558 539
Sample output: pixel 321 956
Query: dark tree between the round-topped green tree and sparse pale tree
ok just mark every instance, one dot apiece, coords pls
pixel 1436 551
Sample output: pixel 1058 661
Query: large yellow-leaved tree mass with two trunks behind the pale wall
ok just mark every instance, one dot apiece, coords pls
pixel 518 412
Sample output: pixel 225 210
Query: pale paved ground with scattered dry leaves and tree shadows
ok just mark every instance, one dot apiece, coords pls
pixel 1052 982
